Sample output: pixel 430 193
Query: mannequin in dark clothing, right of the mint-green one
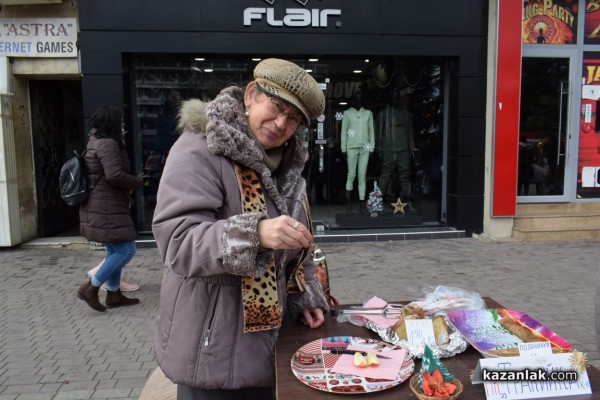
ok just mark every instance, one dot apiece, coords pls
pixel 395 122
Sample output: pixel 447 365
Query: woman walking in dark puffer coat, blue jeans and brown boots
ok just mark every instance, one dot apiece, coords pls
pixel 105 217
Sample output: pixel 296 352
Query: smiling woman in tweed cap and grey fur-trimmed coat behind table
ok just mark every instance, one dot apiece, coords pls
pixel 231 226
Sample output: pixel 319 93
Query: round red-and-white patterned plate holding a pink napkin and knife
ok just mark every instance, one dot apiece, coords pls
pixel 312 365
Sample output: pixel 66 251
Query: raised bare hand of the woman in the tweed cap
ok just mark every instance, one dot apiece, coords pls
pixel 283 232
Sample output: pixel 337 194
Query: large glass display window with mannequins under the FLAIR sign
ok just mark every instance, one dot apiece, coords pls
pixel 403 98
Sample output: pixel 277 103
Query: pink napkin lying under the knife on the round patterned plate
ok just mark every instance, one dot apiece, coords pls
pixel 387 368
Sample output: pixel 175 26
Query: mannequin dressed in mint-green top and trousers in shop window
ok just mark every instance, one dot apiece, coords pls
pixel 357 143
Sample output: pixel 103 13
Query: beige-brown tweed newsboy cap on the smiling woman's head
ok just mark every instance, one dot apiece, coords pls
pixel 291 83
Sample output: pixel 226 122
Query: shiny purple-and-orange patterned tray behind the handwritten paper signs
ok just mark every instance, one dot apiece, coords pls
pixel 497 332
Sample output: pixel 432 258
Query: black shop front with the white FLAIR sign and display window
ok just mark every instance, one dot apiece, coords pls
pixel 419 76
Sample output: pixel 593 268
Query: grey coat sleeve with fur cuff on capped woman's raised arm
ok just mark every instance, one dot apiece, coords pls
pixel 197 223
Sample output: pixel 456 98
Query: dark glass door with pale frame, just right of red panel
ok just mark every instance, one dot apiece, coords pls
pixel 546 132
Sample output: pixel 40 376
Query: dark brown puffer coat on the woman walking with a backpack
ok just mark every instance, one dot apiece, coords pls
pixel 105 217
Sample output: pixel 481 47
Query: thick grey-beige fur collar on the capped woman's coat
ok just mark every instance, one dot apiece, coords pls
pixel 223 123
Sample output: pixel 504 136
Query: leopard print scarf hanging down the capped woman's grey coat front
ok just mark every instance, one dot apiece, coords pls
pixel 259 295
